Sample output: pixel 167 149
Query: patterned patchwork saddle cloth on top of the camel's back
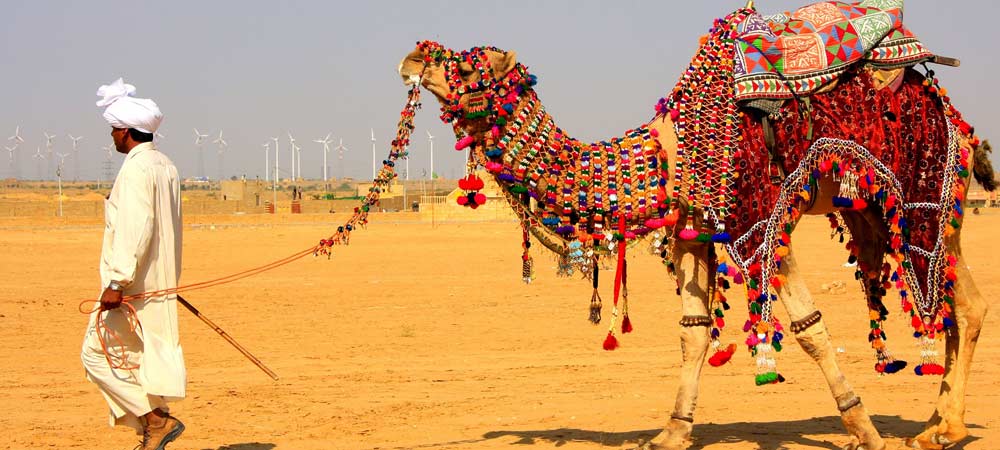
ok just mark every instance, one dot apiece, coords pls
pixel 799 52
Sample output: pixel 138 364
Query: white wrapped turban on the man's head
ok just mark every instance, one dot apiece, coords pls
pixel 122 110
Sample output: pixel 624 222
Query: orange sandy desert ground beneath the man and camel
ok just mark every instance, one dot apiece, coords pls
pixel 416 337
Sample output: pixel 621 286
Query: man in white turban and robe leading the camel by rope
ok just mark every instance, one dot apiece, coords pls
pixel 138 368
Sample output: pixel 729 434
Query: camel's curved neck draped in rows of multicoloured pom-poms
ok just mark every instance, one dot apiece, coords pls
pixel 579 188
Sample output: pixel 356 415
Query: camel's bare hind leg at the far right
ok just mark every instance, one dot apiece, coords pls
pixel 947 425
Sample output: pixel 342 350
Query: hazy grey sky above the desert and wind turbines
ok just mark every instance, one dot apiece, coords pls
pixel 257 69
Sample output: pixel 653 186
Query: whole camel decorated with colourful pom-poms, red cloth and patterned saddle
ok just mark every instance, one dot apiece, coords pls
pixel 819 111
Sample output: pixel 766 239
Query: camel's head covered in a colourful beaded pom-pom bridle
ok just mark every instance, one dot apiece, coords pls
pixel 473 86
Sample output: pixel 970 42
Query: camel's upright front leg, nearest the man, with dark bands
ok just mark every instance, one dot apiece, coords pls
pixel 694 266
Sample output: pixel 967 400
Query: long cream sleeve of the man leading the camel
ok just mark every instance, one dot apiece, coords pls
pixel 133 226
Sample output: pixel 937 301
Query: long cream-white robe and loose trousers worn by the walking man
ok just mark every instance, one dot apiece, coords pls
pixel 142 250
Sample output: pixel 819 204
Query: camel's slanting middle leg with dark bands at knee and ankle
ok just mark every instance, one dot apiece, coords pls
pixel 812 335
